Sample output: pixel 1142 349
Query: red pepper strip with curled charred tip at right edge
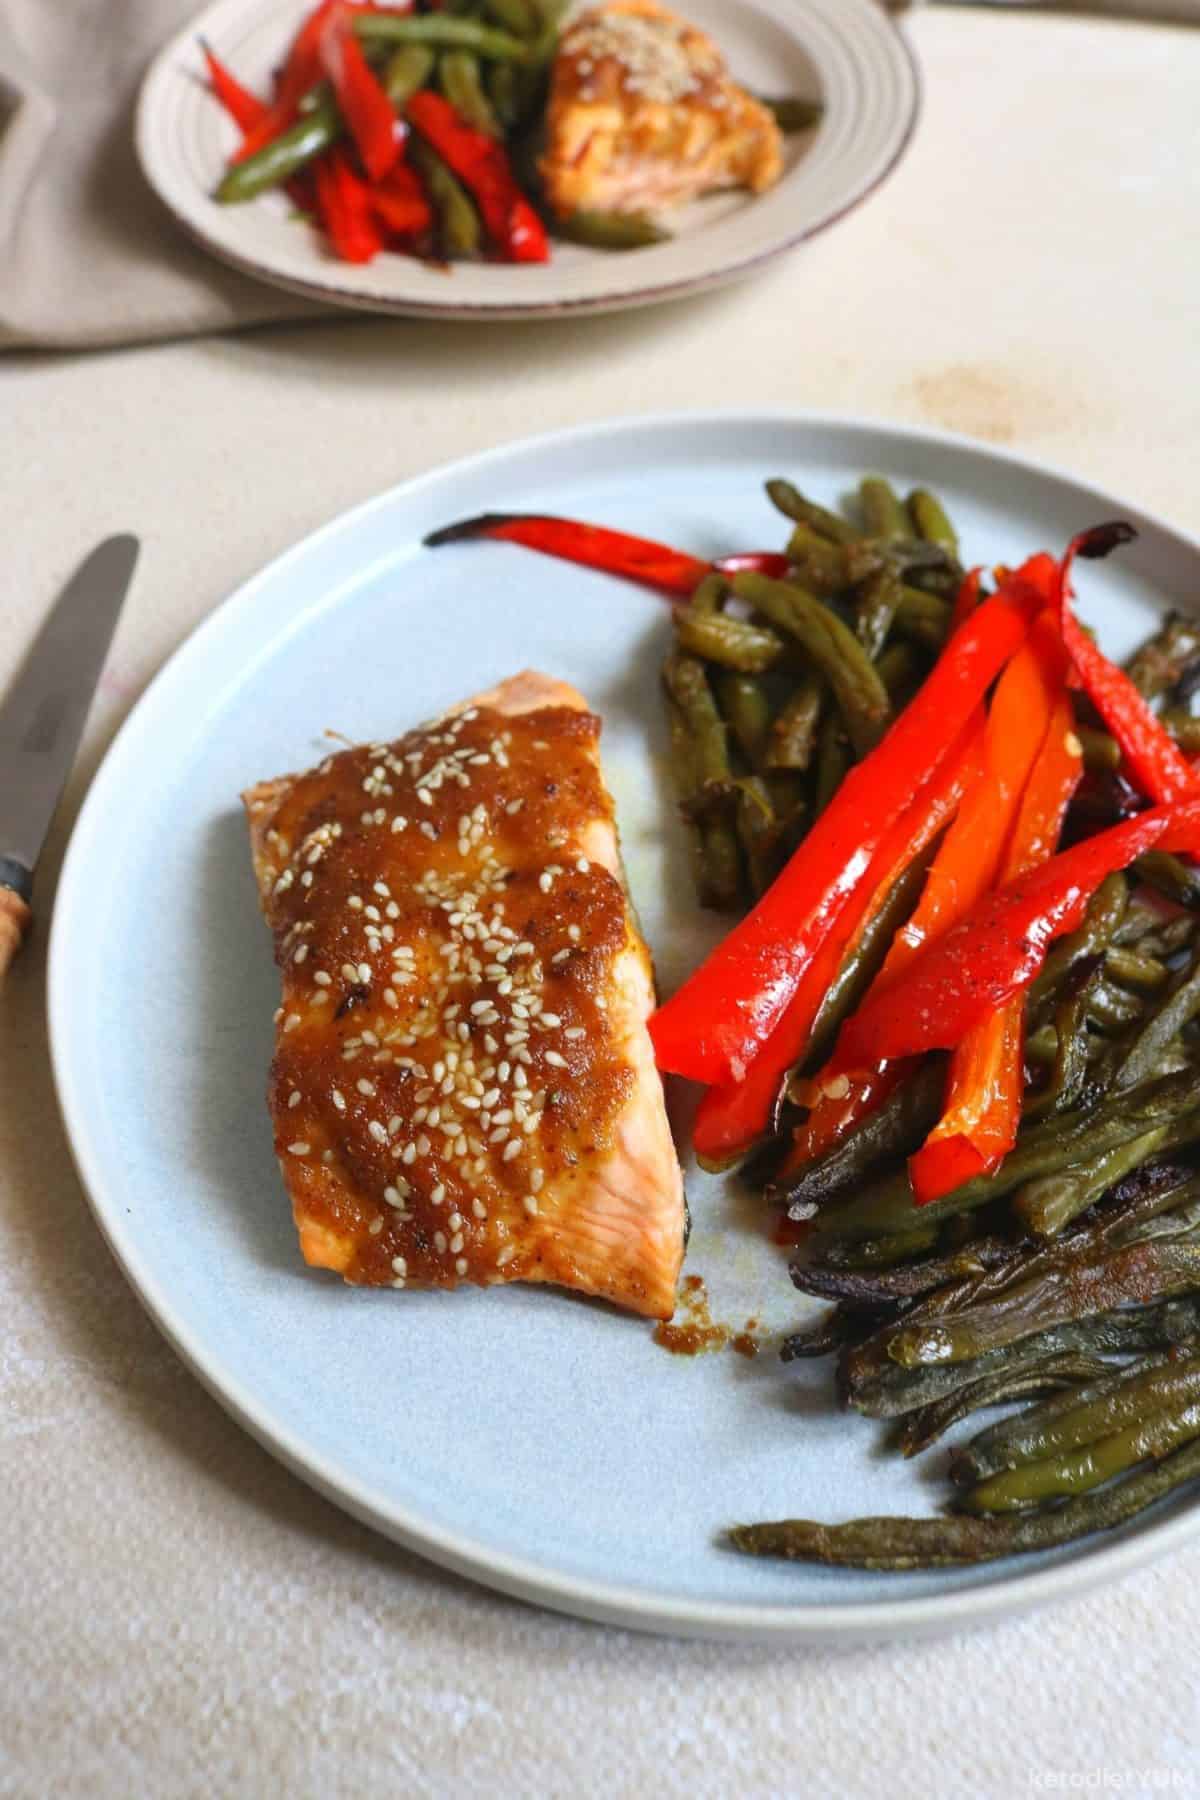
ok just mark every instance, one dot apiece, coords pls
pixel 1154 762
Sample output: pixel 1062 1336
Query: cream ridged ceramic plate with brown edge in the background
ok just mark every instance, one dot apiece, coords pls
pixel 845 53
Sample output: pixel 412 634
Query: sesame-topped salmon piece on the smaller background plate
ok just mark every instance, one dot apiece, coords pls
pixel 643 114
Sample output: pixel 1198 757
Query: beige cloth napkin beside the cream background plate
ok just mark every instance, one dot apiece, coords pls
pixel 89 256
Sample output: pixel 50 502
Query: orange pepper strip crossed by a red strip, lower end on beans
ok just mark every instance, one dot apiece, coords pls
pixel 987 1068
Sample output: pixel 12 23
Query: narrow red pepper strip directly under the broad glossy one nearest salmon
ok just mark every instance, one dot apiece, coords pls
pixel 735 1115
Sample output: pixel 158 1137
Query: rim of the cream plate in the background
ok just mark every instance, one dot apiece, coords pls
pixel 472 312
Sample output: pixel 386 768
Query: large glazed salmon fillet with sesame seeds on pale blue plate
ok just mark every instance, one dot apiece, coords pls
pixel 463 1088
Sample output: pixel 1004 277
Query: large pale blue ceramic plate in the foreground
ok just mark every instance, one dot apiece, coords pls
pixel 524 1437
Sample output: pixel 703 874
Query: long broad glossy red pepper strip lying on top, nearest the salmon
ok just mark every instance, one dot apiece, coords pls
pixel 713 1029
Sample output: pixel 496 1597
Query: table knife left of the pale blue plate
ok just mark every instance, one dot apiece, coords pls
pixel 42 721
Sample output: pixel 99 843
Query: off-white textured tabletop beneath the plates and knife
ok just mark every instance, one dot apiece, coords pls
pixel 177 1614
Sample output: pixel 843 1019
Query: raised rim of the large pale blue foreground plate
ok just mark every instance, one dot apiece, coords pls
pixel 523 1578
